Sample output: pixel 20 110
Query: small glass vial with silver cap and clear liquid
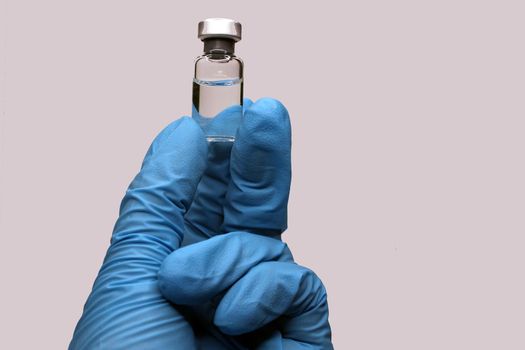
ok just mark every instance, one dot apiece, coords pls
pixel 218 80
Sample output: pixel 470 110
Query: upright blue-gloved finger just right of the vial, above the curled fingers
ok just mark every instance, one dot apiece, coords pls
pixel 260 170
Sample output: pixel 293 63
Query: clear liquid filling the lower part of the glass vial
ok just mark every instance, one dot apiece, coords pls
pixel 217 107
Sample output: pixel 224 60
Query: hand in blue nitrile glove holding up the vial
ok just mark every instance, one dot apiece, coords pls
pixel 232 283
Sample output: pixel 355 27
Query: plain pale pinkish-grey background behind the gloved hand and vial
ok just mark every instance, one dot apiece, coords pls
pixel 408 193
